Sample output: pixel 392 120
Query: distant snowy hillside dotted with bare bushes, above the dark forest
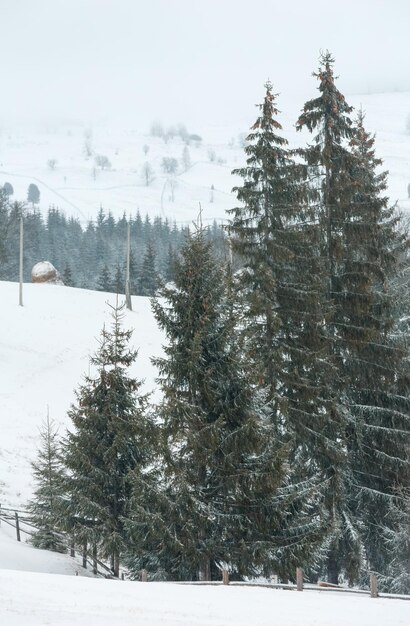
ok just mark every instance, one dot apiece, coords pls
pixel 79 188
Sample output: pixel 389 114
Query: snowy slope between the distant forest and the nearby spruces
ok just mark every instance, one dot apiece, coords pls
pixel 44 353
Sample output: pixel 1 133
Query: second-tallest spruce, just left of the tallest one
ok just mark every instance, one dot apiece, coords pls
pixel 276 234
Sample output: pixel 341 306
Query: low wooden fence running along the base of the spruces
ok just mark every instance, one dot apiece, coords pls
pixel 21 521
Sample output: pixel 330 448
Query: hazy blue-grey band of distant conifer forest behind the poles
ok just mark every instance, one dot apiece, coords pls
pixel 94 256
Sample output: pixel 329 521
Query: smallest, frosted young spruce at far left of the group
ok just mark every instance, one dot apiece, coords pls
pixel 45 506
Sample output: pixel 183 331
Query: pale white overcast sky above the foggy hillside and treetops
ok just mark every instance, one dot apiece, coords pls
pixel 188 59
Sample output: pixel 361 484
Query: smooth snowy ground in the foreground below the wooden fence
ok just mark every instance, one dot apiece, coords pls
pixel 39 599
